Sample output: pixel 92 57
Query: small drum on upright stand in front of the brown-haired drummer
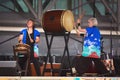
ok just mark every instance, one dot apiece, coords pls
pixel 24 50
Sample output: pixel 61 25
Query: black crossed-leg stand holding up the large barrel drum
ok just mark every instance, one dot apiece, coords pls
pixel 49 43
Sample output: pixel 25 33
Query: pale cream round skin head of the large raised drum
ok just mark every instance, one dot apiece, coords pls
pixel 67 20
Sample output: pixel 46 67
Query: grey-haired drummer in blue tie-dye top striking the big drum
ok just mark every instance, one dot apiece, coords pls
pixel 91 48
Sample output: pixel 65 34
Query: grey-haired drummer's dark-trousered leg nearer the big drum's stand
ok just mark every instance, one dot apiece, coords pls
pixel 82 64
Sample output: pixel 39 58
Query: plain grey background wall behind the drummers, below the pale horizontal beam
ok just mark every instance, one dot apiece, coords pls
pixel 58 44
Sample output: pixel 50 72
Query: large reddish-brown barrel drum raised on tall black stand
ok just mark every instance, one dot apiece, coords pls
pixel 58 21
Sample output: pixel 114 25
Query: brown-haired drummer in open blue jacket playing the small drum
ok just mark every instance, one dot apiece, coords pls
pixel 30 36
